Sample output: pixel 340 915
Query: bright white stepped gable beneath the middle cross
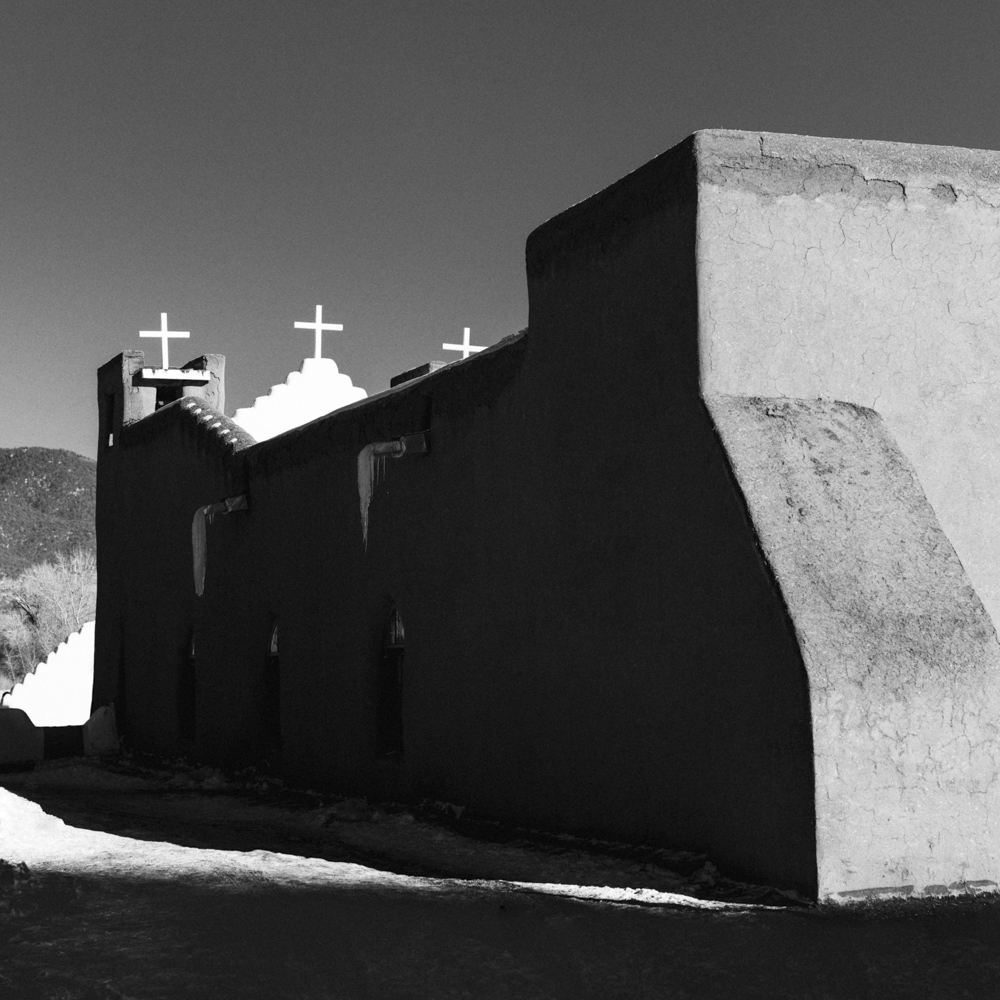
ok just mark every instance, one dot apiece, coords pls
pixel 318 388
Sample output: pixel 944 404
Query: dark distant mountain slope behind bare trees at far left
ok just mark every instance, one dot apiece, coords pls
pixel 47 504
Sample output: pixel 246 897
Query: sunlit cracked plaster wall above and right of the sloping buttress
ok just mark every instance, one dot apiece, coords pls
pixel 865 272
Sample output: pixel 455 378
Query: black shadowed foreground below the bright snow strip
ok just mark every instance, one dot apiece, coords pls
pixel 77 937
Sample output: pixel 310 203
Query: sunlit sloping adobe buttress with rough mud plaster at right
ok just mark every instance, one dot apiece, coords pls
pixel 902 657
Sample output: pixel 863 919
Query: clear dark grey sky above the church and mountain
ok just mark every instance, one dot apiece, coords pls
pixel 236 162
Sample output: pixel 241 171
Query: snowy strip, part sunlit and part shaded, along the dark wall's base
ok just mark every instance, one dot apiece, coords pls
pixel 201 804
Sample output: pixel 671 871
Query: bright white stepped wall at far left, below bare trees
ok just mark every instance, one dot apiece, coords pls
pixel 58 692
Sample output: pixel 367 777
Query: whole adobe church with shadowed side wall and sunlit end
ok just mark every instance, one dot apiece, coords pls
pixel 706 558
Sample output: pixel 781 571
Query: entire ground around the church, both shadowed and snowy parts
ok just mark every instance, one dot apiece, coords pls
pixel 142 879
